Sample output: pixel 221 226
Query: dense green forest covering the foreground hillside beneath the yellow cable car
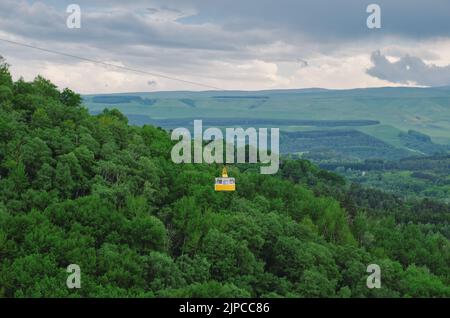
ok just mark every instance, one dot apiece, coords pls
pixel 97 192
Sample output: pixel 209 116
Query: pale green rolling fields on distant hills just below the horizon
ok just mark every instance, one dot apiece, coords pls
pixel 382 116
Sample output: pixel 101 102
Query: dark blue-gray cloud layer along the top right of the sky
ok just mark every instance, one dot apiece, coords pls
pixel 327 19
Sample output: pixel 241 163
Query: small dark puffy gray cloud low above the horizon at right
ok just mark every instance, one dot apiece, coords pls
pixel 408 69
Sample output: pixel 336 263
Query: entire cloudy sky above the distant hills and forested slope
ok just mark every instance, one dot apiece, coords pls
pixel 229 44
